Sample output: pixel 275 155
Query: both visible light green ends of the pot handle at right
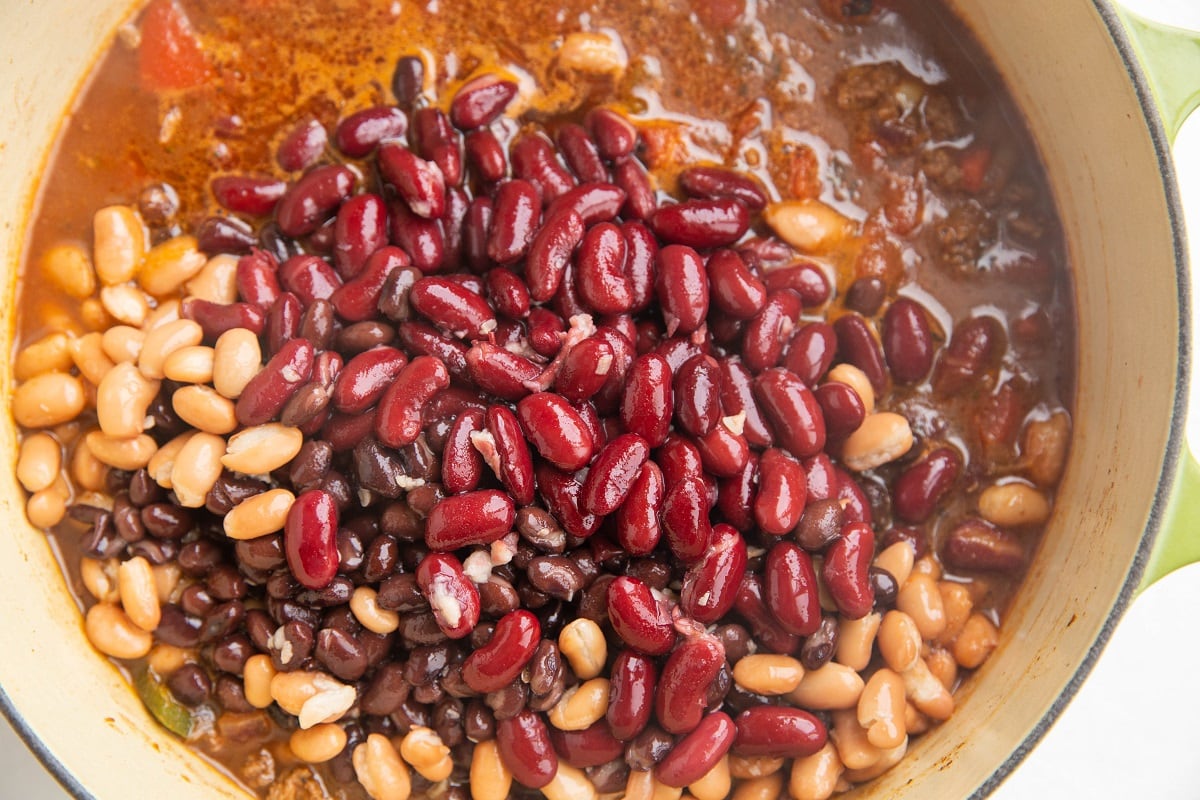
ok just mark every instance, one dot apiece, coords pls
pixel 1171 58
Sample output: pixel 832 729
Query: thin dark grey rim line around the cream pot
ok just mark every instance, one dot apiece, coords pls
pixel 1166 485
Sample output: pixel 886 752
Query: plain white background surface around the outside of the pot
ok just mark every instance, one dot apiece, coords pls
pixel 1135 729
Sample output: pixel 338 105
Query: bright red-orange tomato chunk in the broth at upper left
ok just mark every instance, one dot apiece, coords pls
pixel 171 57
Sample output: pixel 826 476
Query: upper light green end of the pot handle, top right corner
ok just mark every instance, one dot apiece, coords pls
pixel 1171 58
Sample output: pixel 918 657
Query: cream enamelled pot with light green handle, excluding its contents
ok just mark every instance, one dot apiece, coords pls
pixel 1129 494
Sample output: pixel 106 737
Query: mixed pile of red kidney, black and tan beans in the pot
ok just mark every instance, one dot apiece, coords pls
pixel 476 465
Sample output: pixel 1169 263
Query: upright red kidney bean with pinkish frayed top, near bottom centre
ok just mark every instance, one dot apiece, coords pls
pixel 681 697
